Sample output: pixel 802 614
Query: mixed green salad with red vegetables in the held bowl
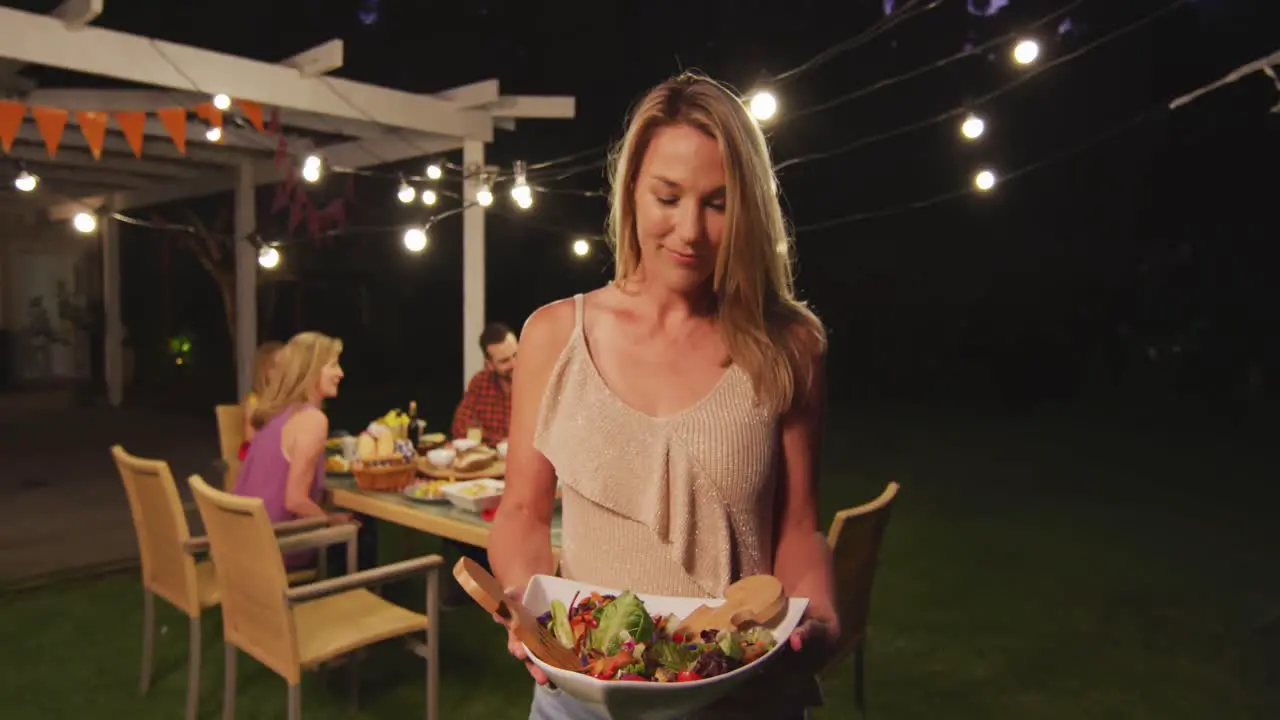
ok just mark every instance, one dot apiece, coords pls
pixel 616 639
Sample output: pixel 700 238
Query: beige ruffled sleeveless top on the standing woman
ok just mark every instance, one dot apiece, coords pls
pixel 679 505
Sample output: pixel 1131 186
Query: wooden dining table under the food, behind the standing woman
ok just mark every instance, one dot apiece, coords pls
pixel 442 518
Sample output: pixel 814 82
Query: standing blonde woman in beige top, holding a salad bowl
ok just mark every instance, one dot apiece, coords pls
pixel 679 407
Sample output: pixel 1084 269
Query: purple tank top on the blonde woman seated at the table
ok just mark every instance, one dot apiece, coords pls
pixel 266 473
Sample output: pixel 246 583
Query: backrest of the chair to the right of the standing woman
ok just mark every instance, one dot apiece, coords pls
pixel 856 540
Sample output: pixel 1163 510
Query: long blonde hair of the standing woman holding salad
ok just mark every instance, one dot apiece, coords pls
pixel 767 331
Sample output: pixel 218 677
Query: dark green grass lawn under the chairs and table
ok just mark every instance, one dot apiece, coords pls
pixel 1036 569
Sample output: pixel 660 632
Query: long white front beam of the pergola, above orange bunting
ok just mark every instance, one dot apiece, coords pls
pixel 47 42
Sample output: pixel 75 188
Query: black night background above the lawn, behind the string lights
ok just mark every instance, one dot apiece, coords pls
pixel 1155 241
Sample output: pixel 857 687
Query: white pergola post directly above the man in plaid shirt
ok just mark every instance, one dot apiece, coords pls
pixel 473 262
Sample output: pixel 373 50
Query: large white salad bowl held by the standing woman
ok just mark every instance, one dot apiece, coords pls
pixel 628 700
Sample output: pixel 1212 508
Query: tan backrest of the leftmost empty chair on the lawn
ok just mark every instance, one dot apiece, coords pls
pixel 162 527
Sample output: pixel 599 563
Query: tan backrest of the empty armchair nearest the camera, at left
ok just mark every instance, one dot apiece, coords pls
pixel 252 578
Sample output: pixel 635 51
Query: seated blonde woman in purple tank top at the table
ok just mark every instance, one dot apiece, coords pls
pixel 285 464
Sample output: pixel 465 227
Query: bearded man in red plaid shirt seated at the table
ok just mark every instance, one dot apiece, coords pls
pixel 487 407
